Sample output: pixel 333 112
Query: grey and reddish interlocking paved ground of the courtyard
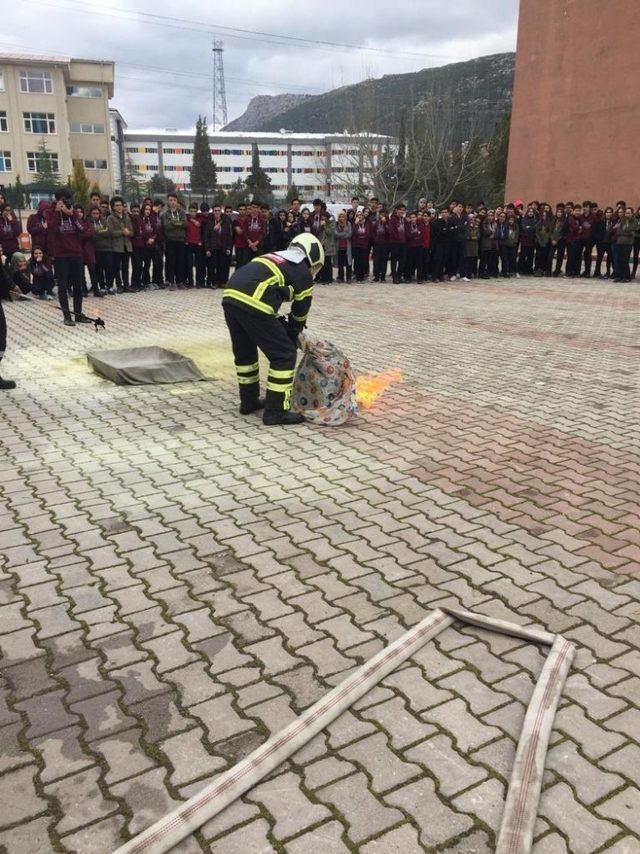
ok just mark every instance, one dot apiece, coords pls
pixel 176 582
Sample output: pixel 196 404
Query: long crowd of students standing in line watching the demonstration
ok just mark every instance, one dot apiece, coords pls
pixel 109 246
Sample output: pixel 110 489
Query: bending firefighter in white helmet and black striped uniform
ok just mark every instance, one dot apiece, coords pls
pixel 251 301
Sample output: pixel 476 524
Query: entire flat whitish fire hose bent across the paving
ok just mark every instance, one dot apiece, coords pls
pixel 521 805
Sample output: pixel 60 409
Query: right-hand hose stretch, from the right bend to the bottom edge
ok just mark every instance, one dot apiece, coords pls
pixel 521 807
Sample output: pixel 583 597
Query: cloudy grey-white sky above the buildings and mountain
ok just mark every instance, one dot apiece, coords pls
pixel 162 49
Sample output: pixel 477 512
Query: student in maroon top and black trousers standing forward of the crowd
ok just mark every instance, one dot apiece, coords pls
pixel 67 249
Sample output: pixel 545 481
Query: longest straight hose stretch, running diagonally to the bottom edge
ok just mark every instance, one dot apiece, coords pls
pixel 191 815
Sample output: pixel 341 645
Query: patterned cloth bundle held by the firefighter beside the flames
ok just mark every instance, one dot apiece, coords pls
pixel 324 388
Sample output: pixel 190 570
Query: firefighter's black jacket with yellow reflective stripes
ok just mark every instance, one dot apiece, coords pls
pixel 262 285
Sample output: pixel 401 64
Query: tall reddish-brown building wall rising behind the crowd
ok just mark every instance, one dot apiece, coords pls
pixel 575 130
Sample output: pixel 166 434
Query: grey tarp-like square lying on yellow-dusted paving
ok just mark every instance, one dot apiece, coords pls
pixel 142 365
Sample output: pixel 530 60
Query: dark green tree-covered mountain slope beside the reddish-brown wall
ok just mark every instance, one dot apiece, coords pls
pixel 475 94
